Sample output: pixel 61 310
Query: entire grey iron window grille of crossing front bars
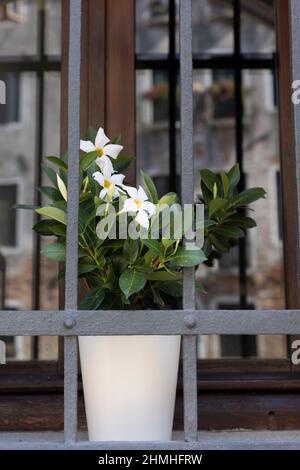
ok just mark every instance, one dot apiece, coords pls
pixel 187 322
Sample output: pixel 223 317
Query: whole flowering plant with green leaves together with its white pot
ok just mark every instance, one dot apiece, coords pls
pixel 130 381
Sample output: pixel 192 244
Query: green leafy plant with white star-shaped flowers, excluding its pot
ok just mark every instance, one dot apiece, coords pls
pixel 135 272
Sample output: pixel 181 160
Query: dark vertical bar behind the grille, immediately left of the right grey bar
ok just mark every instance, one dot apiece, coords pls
pixel 172 97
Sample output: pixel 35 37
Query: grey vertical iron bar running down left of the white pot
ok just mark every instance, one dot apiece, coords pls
pixel 70 357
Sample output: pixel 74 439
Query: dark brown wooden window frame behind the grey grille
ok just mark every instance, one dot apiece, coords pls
pixel 251 394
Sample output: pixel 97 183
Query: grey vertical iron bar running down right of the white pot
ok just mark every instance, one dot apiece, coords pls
pixel 187 193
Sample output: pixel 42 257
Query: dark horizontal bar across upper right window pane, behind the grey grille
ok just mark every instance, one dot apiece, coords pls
pixel 207 61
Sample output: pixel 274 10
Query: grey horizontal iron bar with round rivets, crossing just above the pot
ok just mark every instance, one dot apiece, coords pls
pixel 149 322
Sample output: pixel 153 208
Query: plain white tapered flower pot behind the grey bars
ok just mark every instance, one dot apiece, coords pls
pixel 129 386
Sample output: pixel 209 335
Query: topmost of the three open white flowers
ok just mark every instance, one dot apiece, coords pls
pixel 103 148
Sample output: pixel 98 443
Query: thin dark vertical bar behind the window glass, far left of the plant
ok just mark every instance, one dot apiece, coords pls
pixel 40 77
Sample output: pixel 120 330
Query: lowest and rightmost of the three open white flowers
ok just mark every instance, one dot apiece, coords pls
pixel 138 202
